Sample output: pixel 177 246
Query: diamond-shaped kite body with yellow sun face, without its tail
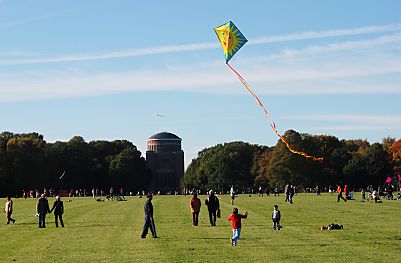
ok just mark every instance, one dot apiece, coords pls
pixel 231 39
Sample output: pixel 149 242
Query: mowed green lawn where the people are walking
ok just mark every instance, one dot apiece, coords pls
pixel 110 232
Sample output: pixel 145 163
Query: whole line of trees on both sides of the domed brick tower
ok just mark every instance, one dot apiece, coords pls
pixel 28 162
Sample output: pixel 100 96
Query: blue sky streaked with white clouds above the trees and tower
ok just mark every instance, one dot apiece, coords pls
pixel 107 70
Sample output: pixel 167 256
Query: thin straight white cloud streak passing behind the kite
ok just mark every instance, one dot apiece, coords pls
pixel 212 45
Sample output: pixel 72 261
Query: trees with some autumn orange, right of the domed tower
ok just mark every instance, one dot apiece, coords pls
pixel 356 163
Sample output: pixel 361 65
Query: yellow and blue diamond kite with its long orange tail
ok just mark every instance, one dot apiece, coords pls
pixel 231 40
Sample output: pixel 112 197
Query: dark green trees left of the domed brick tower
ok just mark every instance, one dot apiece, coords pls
pixel 28 162
